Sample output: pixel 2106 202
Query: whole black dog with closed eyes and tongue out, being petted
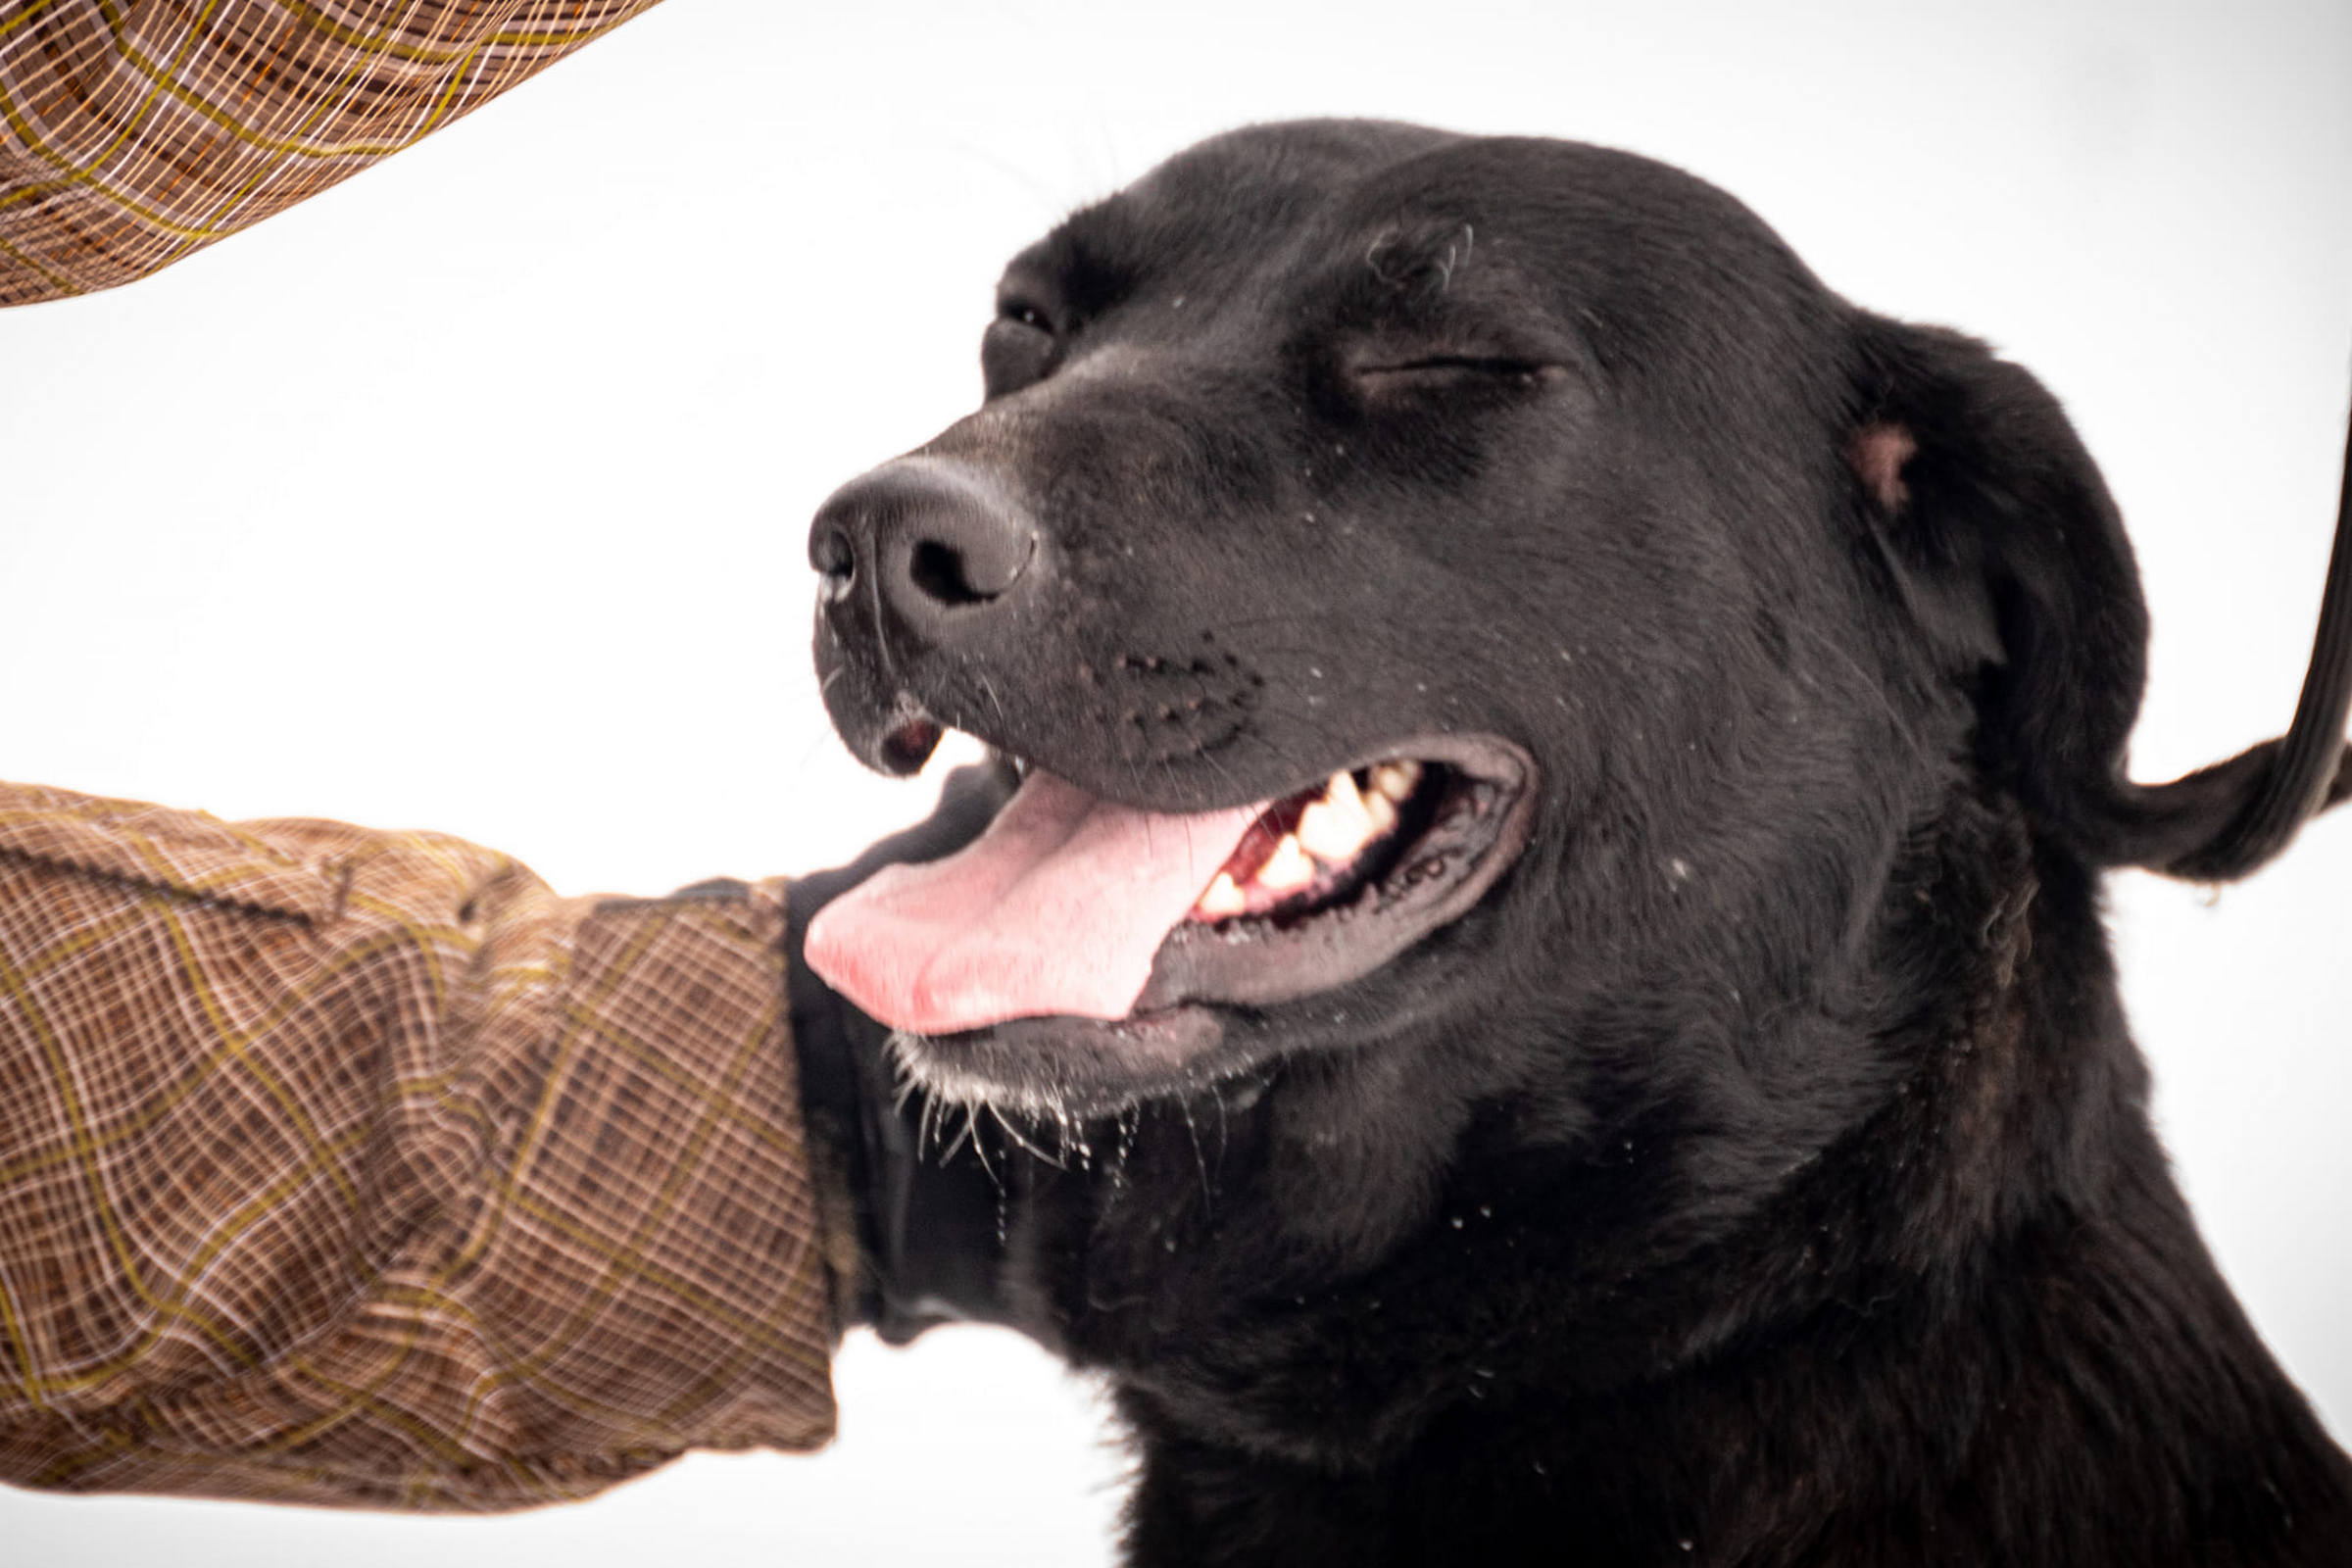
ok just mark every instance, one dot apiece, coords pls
pixel 1645 1083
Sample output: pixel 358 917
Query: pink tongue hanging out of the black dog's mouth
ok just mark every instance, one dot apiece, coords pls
pixel 1057 909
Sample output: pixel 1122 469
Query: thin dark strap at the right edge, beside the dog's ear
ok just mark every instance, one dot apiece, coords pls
pixel 2311 768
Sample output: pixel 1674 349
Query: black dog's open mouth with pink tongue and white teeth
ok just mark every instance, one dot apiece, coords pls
pixel 1088 920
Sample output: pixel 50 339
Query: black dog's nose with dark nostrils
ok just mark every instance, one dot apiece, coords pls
pixel 940 540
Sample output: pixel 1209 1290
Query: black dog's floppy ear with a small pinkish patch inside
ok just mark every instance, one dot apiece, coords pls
pixel 2010 556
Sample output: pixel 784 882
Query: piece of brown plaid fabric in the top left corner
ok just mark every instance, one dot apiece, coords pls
pixel 140 130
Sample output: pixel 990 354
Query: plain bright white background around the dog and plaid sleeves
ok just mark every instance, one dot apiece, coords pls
pixel 474 492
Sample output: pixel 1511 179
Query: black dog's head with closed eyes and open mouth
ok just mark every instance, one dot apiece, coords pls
pixel 1462 589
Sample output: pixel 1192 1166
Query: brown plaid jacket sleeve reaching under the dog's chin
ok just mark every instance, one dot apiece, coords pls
pixel 349 1167
